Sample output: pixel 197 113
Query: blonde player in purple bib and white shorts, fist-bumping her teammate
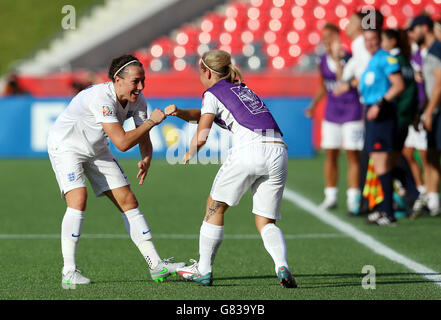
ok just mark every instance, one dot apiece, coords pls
pixel 257 160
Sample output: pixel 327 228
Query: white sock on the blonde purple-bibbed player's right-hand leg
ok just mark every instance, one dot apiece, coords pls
pixel 274 243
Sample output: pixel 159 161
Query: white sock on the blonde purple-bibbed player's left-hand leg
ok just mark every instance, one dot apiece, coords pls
pixel 210 239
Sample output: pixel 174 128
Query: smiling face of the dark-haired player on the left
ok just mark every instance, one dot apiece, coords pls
pixel 130 87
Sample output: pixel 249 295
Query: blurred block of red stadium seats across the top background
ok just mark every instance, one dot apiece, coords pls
pixel 263 34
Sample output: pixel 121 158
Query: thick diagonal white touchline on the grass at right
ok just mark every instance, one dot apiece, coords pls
pixel 360 236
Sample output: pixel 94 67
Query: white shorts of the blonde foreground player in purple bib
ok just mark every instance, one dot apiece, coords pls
pixel 261 166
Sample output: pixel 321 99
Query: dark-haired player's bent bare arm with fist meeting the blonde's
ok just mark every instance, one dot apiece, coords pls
pixel 126 140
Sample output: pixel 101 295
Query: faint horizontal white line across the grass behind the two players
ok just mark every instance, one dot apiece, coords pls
pixel 171 236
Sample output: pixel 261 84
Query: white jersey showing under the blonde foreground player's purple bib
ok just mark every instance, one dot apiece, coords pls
pixel 241 134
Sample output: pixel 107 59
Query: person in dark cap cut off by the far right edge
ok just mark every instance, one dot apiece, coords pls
pixel 424 32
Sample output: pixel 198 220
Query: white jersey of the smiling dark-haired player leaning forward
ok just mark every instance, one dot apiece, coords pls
pixel 78 128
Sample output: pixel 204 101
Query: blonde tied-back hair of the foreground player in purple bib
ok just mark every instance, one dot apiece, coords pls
pixel 219 62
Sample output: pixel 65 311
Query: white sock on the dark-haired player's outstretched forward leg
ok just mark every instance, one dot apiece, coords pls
pixel 141 236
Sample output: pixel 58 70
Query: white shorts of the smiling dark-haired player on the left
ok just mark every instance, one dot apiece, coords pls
pixel 71 169
